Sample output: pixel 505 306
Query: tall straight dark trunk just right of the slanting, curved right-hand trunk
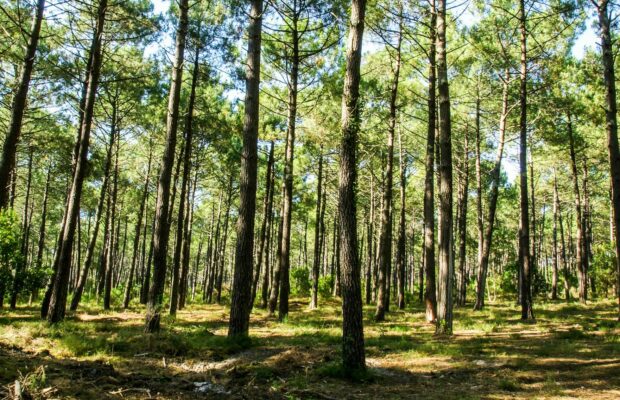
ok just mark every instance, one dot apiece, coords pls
pixel 525 262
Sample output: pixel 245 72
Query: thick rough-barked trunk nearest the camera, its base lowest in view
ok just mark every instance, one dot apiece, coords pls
pixel 353 354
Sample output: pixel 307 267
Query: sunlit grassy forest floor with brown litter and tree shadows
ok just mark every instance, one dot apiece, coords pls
pixel 571 351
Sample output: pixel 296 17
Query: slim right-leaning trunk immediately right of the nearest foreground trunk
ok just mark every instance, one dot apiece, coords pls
pixel 385 244
